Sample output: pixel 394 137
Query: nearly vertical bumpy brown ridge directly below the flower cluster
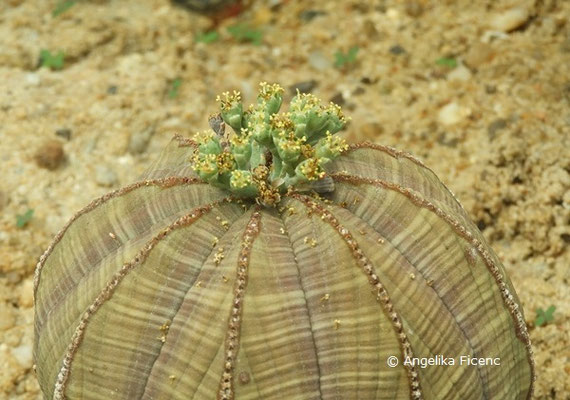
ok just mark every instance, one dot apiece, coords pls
pixel 226 388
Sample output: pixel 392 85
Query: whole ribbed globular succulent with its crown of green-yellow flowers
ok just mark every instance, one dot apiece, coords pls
pixel 268 259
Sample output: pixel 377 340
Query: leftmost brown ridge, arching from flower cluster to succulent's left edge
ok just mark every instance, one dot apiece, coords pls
pixel 162 182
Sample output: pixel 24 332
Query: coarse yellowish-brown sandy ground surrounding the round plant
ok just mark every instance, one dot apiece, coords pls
pixel 495 127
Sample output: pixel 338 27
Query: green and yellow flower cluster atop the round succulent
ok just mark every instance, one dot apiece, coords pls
pixel 268 153
